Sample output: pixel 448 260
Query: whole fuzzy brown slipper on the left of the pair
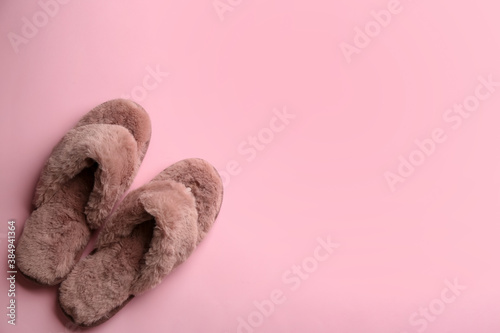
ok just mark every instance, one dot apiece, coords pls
pixel 86 173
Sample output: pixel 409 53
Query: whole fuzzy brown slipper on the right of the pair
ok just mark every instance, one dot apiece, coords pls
pixel 153 230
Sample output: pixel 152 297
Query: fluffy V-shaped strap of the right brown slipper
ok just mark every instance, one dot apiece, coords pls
pixel 173 207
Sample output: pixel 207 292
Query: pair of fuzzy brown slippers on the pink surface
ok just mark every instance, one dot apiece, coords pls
pixel 154 229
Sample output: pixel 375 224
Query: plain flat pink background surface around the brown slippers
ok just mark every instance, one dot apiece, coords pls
pixel 387 145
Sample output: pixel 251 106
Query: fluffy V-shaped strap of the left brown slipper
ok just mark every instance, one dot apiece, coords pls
pixel 112 147
